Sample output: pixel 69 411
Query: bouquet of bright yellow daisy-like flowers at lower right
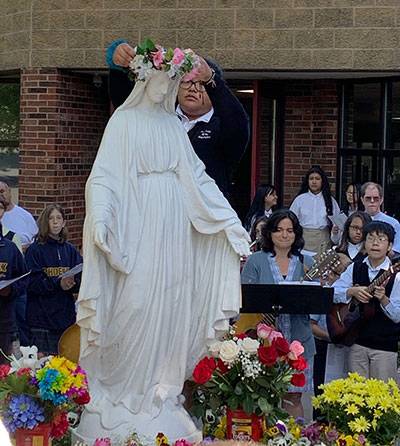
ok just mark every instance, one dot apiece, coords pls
pixel 369 407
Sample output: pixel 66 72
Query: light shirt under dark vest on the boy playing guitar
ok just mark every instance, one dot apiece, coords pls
pixel 345 281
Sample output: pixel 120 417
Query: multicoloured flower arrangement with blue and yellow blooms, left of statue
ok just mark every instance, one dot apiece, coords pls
pixel 36 396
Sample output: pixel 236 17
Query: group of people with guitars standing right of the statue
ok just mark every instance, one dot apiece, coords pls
pixel 367 244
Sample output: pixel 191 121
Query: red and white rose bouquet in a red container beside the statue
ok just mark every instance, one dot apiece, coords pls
pixel 247 377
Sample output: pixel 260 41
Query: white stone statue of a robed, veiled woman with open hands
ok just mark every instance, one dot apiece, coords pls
pixel 161 272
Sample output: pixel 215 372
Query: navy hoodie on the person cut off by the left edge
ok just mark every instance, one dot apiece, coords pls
pixel 12 265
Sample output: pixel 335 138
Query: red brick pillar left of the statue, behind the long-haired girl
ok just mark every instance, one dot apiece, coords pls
pixel 62 119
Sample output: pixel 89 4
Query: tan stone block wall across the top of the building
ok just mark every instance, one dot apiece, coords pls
pixel 240 34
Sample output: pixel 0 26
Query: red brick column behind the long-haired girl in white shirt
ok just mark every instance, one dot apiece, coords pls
pixel 311 130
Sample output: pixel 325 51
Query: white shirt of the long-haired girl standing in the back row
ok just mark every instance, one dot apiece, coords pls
pixel 311 211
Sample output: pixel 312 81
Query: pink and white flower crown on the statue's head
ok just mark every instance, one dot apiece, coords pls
pixel 150 57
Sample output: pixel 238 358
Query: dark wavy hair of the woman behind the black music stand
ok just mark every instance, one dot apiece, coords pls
pixel 267 244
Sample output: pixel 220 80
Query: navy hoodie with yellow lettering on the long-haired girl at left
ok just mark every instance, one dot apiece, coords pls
pixel 48 305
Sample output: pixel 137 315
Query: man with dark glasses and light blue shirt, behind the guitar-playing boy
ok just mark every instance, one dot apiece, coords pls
pixel 372 199
